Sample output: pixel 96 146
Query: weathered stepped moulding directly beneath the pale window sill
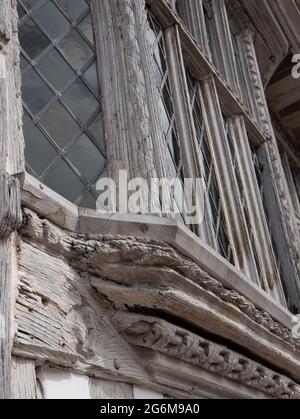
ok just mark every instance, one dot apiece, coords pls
pixel 142 274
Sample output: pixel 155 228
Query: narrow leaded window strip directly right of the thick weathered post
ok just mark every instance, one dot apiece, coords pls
pixel 167 114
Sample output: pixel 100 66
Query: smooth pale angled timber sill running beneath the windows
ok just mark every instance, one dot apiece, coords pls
pixel 88 222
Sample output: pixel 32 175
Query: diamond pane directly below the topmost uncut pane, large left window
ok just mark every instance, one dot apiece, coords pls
pixel 55 68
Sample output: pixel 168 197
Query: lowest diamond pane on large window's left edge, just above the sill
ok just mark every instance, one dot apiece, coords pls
pixel 38 151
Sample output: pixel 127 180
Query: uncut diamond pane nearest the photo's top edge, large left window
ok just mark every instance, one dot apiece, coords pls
pixel 52 20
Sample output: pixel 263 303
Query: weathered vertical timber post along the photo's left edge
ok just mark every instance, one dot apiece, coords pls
pixel 11 168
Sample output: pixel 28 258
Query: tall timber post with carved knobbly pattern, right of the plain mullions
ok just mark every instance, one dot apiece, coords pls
pixel 277 197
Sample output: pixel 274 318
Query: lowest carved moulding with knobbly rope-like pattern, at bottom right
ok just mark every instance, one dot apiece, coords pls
pixel 159 335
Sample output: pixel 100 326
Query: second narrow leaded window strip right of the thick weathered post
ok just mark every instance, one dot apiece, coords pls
pixel 214 212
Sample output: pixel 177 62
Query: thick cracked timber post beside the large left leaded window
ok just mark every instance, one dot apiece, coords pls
pixel 132 124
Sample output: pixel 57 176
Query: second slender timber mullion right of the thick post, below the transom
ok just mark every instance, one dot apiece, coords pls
pixel 226 180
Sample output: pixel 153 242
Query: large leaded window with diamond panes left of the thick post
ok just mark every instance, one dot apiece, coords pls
pixel 63 126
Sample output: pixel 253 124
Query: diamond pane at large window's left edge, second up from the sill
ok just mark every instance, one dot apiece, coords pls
pixel 35 92
